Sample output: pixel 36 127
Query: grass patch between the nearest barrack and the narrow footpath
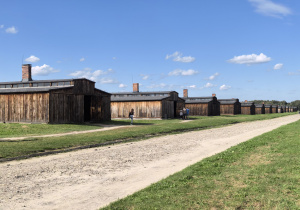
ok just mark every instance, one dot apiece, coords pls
pixel 19 129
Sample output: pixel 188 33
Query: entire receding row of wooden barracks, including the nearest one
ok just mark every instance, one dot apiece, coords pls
pixel 78 101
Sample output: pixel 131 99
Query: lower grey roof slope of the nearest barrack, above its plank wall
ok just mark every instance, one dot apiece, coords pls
pixel 31 89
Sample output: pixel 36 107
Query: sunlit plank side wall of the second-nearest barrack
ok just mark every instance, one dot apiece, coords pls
pixel 143 109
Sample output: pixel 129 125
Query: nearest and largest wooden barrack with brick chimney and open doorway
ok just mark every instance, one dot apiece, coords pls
pixel 52 101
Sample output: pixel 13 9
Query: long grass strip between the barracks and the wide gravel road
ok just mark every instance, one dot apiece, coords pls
pixel 144 129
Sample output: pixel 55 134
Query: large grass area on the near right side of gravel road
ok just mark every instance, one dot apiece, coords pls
pixel 262 173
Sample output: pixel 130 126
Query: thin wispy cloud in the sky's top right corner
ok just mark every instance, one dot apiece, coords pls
pixel 269 8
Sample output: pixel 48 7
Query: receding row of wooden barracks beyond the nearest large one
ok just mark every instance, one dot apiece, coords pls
pixel 167 104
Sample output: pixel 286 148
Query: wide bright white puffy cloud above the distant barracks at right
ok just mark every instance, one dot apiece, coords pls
pixel 250 59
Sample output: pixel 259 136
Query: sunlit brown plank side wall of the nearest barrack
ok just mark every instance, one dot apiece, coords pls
pixel 24 107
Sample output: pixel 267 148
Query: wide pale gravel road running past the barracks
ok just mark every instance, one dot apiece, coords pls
pixel 92 178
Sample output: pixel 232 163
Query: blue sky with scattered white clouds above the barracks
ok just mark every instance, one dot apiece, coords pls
pixel 246 49
